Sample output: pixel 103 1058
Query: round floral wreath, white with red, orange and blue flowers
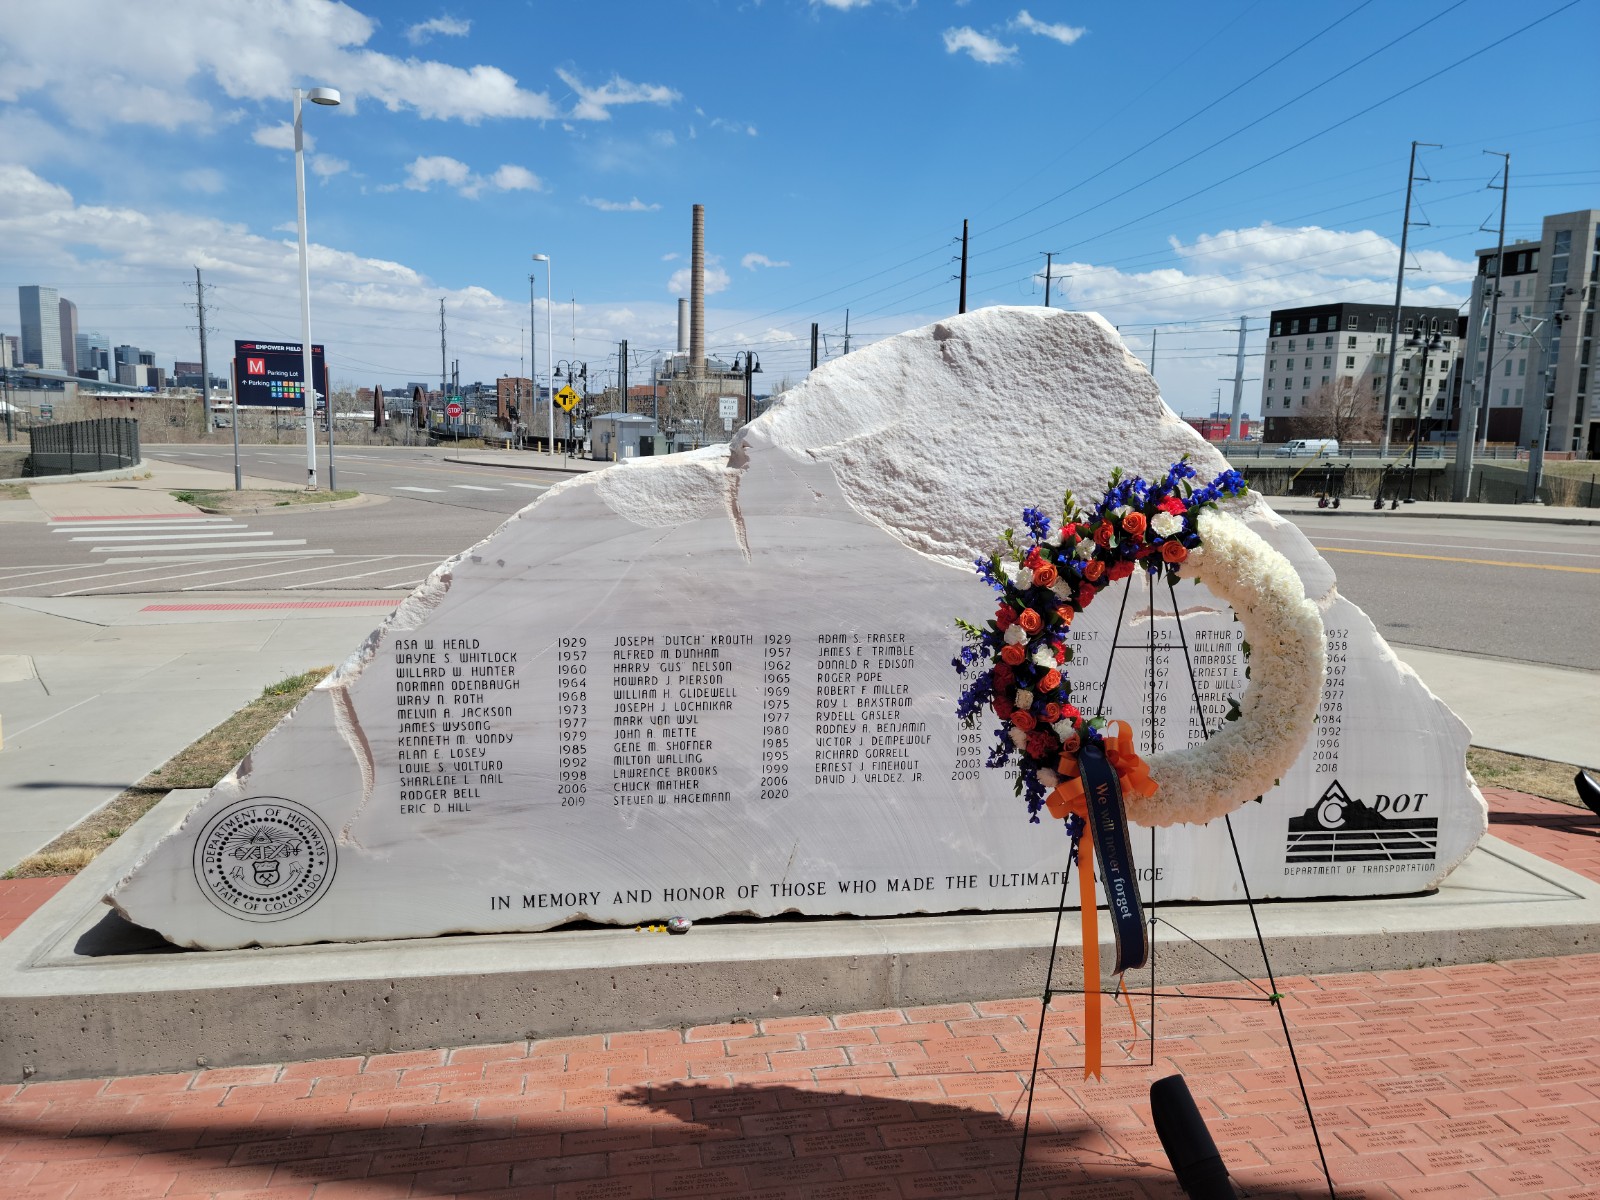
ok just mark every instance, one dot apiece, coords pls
pixel 1172 529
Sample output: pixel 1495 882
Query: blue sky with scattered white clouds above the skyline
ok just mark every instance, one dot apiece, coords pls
pixel 1190 164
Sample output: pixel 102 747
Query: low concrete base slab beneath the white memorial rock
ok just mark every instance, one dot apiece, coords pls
pixel 86 994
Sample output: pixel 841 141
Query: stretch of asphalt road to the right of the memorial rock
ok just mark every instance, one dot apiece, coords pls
pixel 1506 590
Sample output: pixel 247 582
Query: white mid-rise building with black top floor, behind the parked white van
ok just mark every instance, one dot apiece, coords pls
pixel 1318 351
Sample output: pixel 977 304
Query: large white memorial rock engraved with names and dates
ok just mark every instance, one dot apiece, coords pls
pixel 721 684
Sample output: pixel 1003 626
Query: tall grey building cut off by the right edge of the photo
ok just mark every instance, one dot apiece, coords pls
pixel 1538 367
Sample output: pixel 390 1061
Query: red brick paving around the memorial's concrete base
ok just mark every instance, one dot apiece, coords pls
pixel 1468 1081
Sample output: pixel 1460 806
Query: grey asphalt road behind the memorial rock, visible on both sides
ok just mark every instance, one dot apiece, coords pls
pixel 1508 590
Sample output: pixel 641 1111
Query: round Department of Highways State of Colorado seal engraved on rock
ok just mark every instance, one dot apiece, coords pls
pixel 265 858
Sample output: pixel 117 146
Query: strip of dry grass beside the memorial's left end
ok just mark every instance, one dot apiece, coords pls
pixel 202 764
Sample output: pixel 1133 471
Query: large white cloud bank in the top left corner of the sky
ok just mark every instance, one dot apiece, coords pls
pixel 142 71
